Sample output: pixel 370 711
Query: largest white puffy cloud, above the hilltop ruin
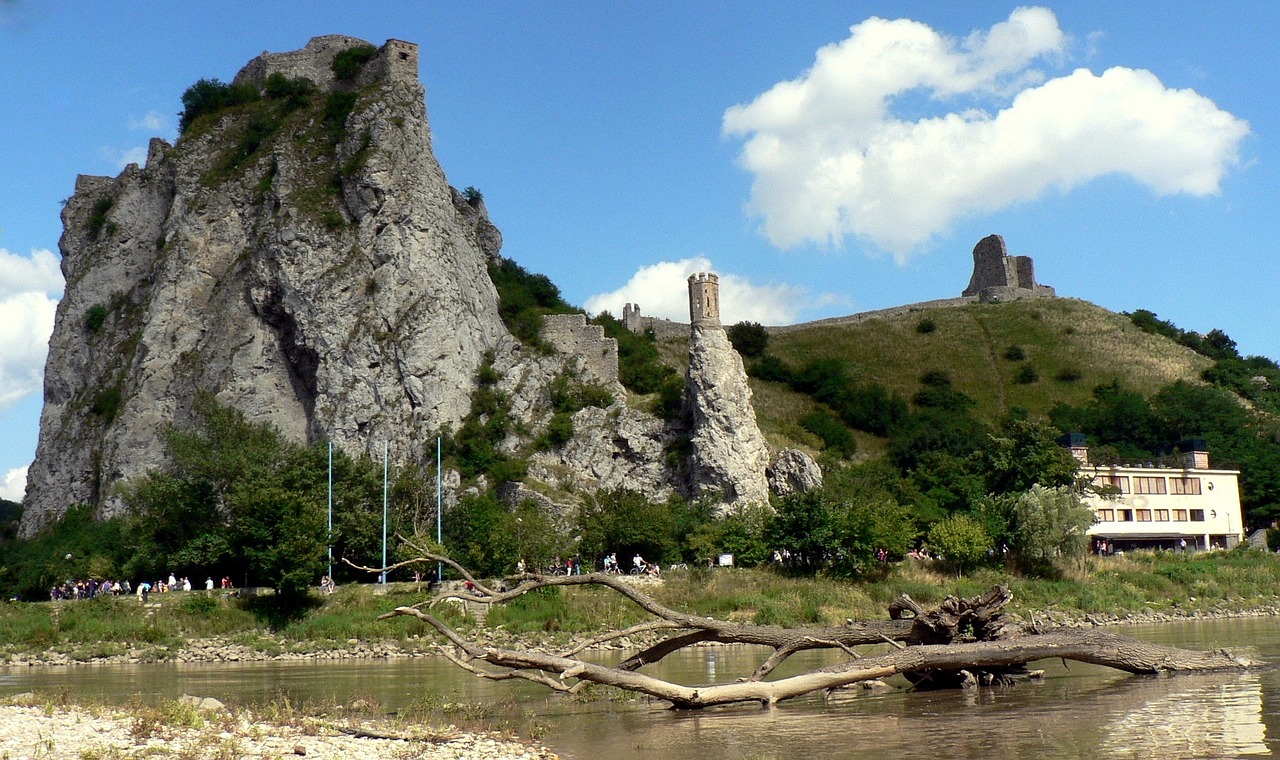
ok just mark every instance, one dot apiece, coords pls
pixel 833 161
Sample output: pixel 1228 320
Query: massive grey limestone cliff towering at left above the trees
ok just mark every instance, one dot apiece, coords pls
pixel 327 281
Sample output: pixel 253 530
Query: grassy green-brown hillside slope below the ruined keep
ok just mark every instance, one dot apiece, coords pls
pixel 1069 346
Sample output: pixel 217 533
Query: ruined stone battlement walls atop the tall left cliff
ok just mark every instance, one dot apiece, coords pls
pixel 396 59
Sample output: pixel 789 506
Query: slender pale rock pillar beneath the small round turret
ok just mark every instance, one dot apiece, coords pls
pixel 729 451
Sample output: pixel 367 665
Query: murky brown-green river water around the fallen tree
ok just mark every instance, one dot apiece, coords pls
pixel 1078 711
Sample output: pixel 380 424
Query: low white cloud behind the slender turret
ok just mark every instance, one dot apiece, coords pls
pixel 662 291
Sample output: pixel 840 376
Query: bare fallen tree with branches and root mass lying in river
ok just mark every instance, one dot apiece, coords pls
pixel 964 642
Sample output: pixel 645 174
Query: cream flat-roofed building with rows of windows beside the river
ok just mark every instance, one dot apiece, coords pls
pixel 1191 506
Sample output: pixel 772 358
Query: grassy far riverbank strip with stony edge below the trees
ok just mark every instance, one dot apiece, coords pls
pixel 1141 588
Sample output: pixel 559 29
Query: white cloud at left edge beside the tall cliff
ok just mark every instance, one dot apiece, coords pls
pixel 29 290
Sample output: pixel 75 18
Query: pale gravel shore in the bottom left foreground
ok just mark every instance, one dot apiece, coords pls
pixel 34 727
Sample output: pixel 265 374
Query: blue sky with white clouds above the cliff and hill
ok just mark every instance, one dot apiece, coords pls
pixel 824 158
